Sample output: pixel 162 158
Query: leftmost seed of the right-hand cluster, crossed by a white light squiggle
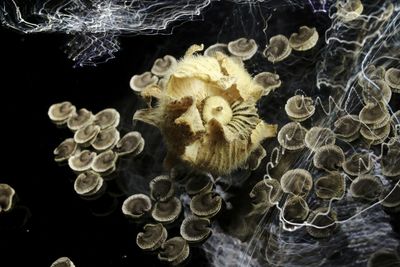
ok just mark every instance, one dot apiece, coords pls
pixel 266 191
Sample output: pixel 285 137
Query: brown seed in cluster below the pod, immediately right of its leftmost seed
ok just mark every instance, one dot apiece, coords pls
pixel 168 211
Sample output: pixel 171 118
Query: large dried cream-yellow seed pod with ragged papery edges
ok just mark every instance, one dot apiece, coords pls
pixel 206 112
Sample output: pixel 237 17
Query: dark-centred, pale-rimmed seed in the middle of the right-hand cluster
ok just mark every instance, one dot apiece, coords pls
pixel 329 157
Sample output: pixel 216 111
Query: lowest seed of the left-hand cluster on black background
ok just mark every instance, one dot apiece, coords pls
pixel 88 183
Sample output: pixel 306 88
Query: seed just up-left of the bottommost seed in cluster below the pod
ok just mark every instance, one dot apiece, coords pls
pixel 152 237
